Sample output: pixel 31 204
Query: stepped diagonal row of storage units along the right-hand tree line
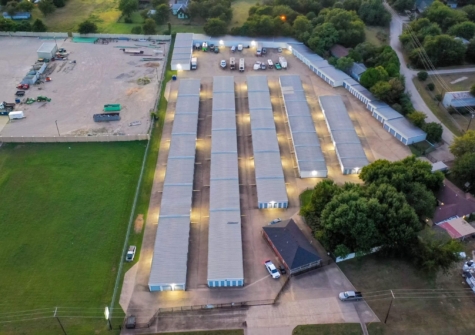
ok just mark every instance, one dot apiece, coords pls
pixel 398 126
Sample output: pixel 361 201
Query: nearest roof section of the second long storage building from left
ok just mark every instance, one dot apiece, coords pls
pixel 225 258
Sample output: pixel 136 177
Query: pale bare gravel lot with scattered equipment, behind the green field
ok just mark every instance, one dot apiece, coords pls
pixel 102 74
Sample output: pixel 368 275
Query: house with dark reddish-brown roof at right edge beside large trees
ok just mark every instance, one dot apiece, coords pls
pixel 453 203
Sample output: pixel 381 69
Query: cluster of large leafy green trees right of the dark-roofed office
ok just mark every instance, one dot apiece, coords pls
pixel 387 211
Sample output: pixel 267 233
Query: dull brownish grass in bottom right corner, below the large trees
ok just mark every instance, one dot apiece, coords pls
pixel 416 315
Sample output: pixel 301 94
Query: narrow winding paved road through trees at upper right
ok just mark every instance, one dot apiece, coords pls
pixel 418 102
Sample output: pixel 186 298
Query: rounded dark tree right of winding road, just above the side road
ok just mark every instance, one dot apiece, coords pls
pixel 444 50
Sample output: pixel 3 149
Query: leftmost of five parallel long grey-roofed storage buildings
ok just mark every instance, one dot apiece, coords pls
pixel 170 254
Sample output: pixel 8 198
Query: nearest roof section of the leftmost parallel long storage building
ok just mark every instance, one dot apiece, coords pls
pixel 170 253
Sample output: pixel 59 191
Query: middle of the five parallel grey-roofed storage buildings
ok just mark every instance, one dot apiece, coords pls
pixel 270 182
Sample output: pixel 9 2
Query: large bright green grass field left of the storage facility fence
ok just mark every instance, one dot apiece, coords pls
pixel 64 214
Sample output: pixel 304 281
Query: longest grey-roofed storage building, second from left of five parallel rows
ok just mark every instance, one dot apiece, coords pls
pixel 225 260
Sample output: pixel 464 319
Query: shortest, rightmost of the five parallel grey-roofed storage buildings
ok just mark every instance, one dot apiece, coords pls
pixel 347 144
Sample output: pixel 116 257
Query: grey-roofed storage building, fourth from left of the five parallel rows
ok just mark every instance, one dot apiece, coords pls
pixel 308 153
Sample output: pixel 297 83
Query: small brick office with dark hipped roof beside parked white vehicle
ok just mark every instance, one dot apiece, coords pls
pixel 291 246
